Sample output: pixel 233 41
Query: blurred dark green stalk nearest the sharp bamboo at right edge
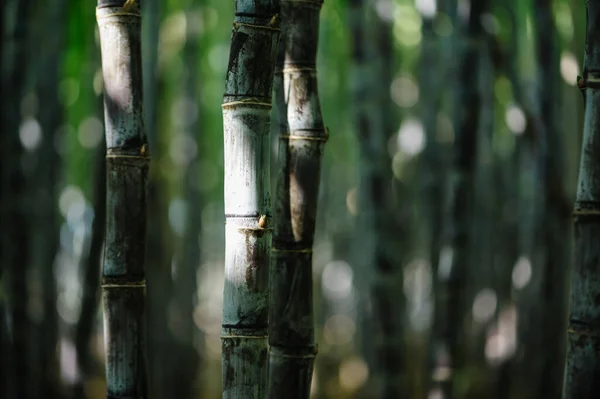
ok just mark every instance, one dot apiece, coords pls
pixel 527 368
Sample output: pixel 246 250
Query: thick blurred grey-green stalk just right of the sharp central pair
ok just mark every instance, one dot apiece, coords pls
pixel 377 236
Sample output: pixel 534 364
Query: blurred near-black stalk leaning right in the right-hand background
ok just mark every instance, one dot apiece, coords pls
pixel 458 239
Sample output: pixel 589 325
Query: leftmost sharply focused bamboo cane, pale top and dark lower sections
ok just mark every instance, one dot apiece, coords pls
pixel 127 162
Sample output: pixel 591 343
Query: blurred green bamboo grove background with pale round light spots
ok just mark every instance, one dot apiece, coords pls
pixel 515 69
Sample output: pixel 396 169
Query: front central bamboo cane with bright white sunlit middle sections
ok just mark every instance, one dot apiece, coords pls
pixel 246 120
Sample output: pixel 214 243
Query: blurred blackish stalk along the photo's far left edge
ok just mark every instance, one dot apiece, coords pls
pixel 15 244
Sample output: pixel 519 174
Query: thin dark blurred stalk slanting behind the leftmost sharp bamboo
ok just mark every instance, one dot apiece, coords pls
pixel 91 279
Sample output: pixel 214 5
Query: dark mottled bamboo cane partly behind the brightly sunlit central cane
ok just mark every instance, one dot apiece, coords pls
pixel 302 140
